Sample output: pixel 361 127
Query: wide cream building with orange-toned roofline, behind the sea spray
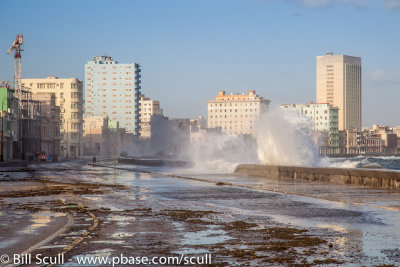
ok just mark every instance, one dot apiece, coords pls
pixel 236 113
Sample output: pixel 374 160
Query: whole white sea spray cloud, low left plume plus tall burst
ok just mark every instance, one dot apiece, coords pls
pixel 280 138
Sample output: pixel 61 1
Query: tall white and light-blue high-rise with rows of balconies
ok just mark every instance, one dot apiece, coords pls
pixel 113 90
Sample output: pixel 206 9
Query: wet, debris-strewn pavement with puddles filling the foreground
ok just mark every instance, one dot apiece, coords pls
pixel 241 221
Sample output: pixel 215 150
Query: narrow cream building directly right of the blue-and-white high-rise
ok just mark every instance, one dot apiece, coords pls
pixel 148 108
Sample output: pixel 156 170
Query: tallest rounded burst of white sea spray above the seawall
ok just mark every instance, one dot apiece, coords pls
pixel 285 138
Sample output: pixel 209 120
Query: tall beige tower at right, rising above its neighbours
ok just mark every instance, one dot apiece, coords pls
pixel 339 84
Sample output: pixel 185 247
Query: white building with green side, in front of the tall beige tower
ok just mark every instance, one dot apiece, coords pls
pixel 324 118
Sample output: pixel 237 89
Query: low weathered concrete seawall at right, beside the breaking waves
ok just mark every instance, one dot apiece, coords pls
pixel 361 177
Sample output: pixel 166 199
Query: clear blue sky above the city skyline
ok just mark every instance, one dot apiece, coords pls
pixel 190 49
